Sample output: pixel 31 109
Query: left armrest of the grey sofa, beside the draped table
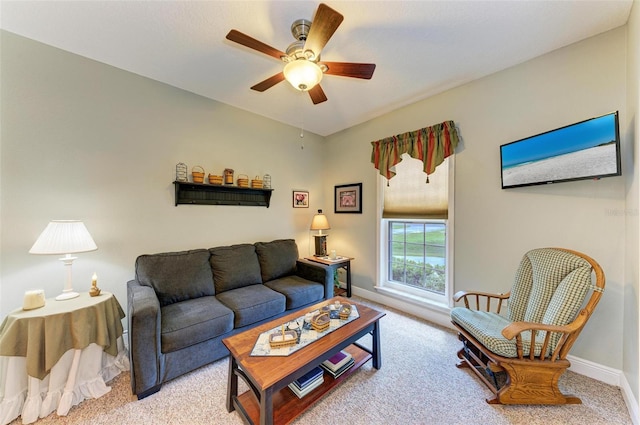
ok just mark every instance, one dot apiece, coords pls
pixel 144 321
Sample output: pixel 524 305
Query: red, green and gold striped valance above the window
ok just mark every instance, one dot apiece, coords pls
pixel 431 145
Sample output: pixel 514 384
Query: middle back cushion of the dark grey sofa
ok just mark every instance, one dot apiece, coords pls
pixel 234 267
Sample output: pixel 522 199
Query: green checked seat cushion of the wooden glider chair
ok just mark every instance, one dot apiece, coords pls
pixel 487 328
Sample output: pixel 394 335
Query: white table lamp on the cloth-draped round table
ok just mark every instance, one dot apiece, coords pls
pixel 64 237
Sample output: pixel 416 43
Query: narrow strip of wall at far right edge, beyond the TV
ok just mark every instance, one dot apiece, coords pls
pixel 632 272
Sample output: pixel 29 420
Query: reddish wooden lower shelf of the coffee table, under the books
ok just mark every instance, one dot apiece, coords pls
pixel 286 405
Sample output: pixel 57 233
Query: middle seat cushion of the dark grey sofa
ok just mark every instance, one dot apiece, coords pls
pixel 251 304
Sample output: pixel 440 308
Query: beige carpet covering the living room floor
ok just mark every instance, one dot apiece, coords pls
pixel 417 384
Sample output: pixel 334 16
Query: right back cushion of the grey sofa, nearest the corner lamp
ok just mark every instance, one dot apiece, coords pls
pixel 277 258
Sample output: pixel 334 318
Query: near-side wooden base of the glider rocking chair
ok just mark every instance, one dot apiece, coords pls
pixel 531 383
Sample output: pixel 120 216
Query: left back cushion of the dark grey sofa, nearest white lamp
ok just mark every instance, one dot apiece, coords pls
pixel 176 276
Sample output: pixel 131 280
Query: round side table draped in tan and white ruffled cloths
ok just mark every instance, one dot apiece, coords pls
pixel 64 351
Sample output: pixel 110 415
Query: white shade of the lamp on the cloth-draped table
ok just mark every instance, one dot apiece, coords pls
pixel 64 237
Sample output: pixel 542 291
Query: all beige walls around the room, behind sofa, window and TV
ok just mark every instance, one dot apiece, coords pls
pixel 83 140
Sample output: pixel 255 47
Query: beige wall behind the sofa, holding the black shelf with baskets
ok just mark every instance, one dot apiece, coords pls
pixel 81 140
